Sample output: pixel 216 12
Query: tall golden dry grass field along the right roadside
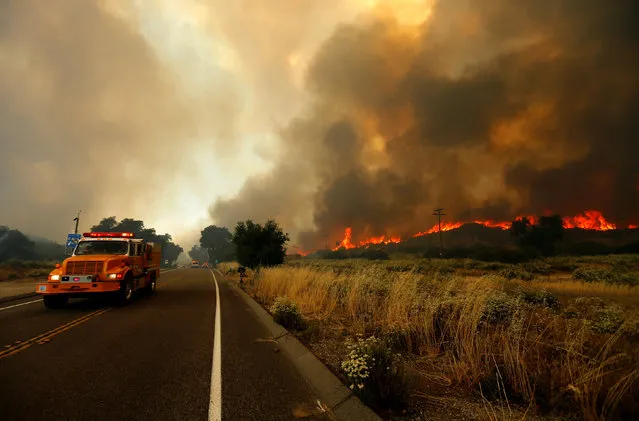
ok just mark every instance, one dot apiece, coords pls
pixel 476 333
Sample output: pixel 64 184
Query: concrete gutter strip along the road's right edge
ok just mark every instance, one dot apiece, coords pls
pixel 342 404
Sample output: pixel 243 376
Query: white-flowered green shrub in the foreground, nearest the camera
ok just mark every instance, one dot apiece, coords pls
pixel 375 374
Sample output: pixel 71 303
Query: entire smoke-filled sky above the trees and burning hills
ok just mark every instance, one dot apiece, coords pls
pixel 320 114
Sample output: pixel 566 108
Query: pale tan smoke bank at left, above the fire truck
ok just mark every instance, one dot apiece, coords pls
pixel 90 117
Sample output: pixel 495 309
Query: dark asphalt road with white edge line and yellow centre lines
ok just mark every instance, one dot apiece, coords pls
pixel 151 360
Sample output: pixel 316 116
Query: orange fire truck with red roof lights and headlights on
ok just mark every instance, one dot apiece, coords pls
pixel 104 263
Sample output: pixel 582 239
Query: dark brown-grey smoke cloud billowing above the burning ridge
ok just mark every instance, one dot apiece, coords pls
pixel 492 109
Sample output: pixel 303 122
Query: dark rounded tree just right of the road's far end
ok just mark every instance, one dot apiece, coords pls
pixel 259 245
